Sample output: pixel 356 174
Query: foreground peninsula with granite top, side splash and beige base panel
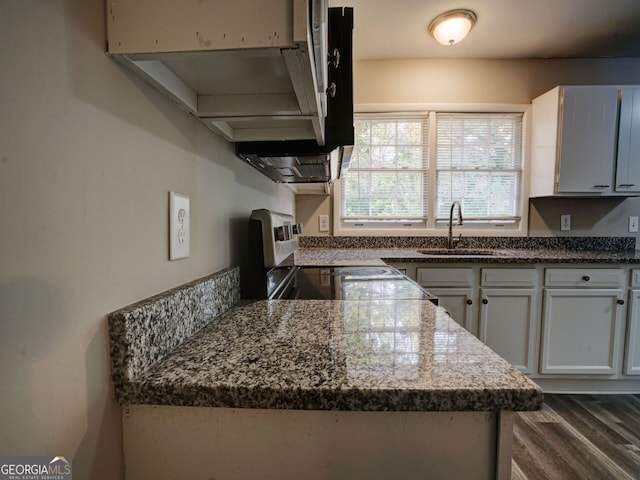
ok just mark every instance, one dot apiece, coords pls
pixel 288 389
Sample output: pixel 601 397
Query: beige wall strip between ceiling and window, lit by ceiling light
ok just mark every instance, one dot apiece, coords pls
pixel 481 81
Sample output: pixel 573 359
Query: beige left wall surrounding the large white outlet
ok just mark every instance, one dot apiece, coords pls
pixel 88 155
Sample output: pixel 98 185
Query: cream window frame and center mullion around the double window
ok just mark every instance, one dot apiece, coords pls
pixel 432 227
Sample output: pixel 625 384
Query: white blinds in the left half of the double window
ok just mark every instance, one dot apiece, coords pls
pixel 387 177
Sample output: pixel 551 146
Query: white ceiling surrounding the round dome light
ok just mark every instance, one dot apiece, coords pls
pixel 505 28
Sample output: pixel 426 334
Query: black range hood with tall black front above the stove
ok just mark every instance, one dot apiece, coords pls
pixel 306 161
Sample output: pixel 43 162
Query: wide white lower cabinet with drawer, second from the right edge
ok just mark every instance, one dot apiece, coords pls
pixel 581 326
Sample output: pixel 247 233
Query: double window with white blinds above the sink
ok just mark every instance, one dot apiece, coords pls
pixel 476 160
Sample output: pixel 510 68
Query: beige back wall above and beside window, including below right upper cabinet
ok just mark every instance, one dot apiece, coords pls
pixel 430 82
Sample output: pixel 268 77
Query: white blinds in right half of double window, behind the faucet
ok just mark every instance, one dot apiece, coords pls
pixel 479 163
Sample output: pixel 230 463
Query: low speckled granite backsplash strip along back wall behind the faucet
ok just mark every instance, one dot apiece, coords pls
pixel 601 244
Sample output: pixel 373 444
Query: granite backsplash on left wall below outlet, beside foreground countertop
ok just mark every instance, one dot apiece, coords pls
pixel 145 332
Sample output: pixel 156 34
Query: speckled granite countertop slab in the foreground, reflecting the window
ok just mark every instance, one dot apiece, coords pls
pixel 374 355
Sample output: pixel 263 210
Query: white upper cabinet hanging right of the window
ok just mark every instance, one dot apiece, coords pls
pixel 585 142
